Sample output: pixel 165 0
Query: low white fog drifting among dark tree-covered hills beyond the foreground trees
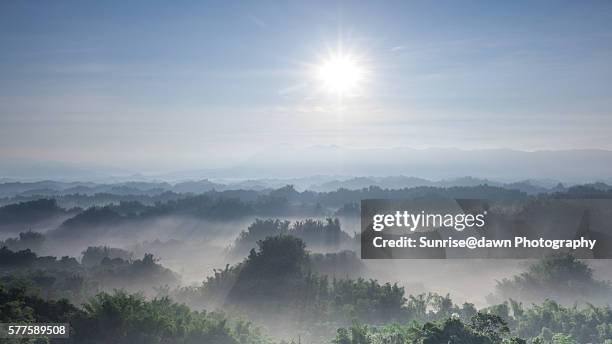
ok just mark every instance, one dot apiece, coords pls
pixel 204 250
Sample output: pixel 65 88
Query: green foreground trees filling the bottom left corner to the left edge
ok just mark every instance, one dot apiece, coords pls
pixel 127 319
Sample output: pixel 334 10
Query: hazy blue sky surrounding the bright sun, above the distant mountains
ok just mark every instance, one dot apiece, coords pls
pixel 171 85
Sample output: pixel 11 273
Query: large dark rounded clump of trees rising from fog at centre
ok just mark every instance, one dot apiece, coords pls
pixel 277 280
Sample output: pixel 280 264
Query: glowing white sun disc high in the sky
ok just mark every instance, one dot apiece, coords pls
pixel 340 74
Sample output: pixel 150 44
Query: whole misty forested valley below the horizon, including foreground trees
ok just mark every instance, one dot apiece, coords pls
pixel 144 263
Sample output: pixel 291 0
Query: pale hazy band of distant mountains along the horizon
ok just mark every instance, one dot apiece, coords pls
pixel 286 162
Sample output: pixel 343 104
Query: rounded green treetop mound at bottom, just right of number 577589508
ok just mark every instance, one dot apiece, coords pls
pixel 129 318
